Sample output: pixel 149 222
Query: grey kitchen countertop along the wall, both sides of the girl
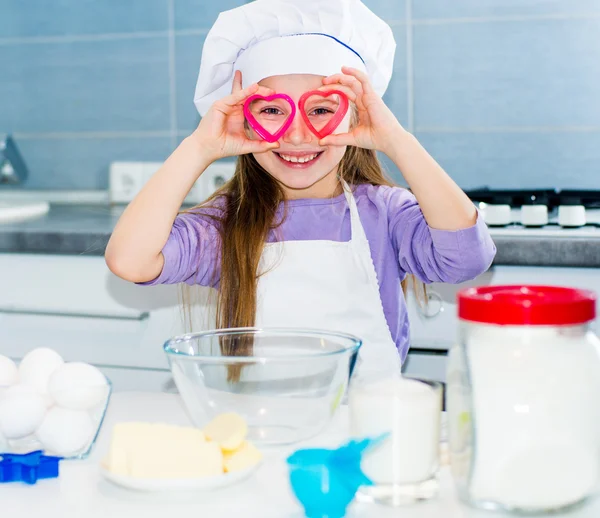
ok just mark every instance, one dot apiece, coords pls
pixel 85 230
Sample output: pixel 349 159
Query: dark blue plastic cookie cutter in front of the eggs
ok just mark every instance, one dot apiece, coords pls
pixel 28 467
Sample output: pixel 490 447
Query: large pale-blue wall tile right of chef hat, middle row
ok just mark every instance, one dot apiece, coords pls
pixel 500 74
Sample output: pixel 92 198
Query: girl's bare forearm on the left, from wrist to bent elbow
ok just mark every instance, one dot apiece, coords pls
pixel 134 250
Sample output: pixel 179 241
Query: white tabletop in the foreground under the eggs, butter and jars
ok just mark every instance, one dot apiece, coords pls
pixel 81 492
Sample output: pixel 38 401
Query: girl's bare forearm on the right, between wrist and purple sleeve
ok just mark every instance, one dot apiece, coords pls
pixel 444 204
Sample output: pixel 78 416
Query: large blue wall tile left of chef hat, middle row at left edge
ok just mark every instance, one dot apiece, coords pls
pixel 115 85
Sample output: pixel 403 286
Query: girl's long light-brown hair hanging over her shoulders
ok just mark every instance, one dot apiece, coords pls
pixel 248 206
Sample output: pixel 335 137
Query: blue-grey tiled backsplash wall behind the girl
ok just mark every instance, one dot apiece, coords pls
pixel 502 92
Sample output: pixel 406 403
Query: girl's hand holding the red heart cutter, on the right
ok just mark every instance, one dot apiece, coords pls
pixel 377 127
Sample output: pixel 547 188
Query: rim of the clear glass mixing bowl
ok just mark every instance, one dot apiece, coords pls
pixel 274 331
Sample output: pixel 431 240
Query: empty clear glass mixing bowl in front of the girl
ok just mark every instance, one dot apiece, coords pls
pixel 286 383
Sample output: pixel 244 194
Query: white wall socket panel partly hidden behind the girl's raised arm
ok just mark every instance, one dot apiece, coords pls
pixel 126 179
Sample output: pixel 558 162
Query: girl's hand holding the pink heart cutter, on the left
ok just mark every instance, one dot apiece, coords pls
pixel 221 132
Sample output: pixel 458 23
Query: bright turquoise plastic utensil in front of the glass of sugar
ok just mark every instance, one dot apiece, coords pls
pixel 325 481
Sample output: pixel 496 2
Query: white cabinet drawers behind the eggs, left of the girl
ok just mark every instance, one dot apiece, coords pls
pixel 76 306
